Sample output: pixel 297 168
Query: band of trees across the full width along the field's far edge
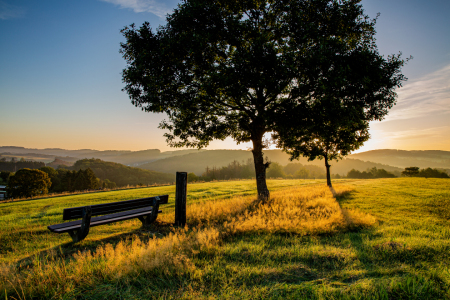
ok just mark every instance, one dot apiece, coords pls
pixel 32 182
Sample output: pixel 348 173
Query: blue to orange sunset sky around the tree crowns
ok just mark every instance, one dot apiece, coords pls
pixel 60 75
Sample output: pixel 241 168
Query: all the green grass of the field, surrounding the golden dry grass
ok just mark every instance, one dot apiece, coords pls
pixel 404 256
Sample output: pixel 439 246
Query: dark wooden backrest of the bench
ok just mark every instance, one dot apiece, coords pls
pixel 108 208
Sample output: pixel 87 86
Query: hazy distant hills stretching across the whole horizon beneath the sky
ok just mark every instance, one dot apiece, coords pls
pixel 196 161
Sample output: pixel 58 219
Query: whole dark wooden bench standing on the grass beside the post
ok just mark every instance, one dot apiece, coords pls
pixel 145 209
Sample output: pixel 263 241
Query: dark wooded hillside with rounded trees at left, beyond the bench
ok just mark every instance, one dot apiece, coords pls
pixel 85 174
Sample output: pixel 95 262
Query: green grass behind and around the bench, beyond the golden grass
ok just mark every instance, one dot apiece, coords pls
pixel 23 224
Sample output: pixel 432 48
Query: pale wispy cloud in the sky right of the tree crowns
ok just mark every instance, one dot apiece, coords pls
pixel 424 97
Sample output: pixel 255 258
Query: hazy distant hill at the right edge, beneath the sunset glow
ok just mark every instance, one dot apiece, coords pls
pixel 404 159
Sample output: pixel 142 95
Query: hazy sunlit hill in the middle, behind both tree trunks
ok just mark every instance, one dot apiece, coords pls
pixel 197 162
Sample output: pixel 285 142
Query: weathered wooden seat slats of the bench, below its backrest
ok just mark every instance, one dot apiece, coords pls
pixel 126 215
